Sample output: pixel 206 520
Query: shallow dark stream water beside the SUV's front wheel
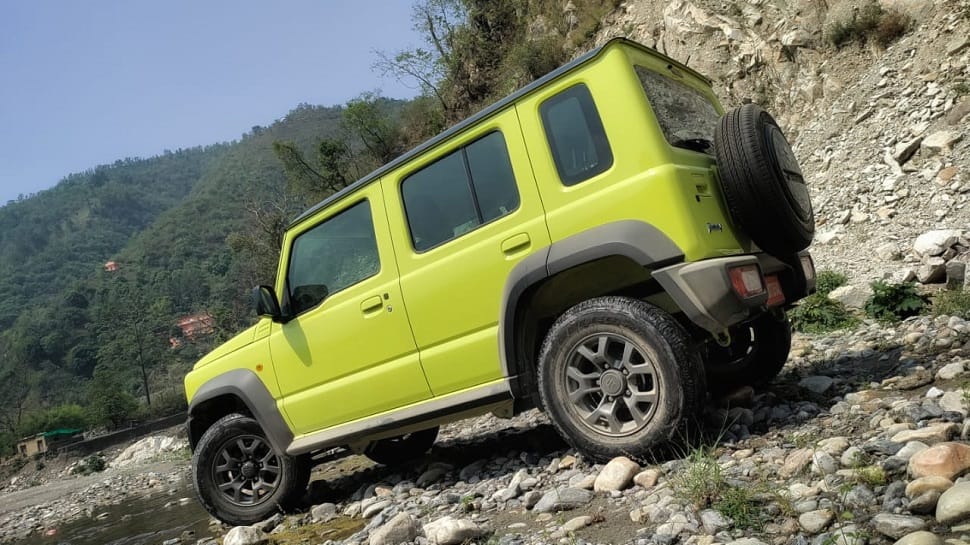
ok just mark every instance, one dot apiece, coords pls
pixel 147 520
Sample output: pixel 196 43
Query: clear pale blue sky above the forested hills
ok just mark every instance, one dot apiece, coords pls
pixel 84 83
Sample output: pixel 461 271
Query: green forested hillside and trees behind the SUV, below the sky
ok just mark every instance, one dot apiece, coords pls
pixel 84 344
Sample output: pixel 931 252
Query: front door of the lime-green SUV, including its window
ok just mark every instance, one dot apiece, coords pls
pixel 349 352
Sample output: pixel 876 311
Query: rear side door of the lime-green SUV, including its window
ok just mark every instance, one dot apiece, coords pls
pixel 461 218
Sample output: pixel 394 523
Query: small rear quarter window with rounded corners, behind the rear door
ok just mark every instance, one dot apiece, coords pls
pixel 576 136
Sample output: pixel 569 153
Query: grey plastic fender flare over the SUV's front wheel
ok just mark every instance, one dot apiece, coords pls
pixel 245 385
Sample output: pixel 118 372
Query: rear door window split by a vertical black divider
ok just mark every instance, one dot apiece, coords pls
pixel 464 189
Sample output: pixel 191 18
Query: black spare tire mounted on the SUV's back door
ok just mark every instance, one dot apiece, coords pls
pixel 763 185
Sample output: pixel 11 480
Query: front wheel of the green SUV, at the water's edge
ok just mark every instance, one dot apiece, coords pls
pixel 232 435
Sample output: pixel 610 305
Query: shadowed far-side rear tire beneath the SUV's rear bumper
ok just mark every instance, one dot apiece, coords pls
pixel 757 353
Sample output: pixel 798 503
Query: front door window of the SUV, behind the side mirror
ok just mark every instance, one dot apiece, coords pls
pixel 332 256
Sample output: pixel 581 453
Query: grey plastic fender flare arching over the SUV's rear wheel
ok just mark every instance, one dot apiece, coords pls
pixel 639 241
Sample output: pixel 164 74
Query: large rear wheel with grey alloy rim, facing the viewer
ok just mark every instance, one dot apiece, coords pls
pixel 657 355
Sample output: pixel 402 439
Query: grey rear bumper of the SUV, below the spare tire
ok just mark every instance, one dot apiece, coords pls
pixel 704 292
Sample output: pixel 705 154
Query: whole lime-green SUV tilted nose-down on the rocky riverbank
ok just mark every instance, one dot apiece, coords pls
pixel 603 244
